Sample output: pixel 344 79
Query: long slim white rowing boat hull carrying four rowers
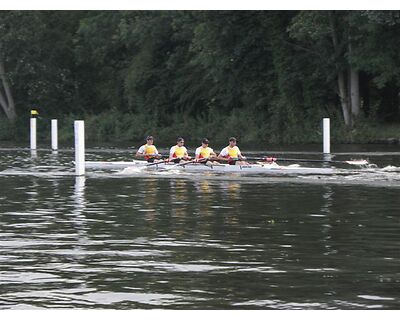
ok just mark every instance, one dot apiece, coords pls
pixel 267 168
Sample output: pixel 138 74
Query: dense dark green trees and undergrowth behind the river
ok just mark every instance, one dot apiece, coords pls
pixel 269 75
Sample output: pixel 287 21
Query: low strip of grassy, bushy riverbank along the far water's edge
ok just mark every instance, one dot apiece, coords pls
pixel 123 129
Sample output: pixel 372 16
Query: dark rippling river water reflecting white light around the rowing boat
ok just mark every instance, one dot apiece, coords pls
pixel 196 241
